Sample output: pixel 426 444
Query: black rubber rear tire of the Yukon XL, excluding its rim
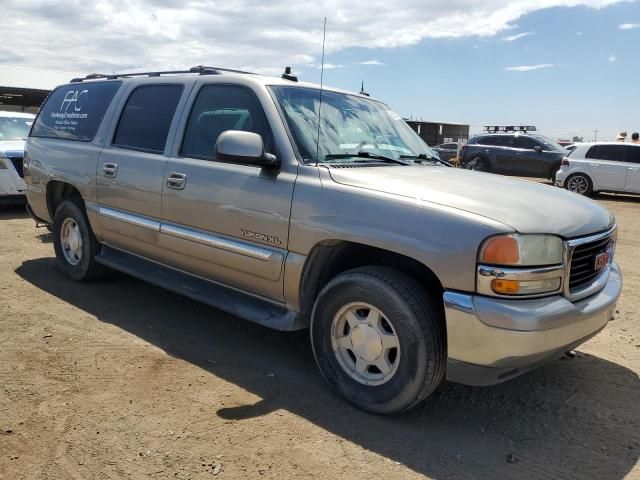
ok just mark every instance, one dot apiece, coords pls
pixel 71 210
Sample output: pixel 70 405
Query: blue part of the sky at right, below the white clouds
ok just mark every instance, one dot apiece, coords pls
pixel 594 81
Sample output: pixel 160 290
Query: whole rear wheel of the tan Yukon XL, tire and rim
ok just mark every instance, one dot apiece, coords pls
pixel 74 243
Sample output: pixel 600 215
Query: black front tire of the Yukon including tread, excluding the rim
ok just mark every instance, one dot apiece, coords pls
pixel 418 323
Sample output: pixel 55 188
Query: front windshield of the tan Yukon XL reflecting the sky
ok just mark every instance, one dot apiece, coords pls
pixel 349 125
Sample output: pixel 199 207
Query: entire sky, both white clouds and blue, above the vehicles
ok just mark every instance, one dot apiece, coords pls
pixel 444 60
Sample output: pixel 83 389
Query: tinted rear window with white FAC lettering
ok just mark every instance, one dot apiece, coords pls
pixel 74 112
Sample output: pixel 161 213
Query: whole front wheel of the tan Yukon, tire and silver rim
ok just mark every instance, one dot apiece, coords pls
pixel 378 339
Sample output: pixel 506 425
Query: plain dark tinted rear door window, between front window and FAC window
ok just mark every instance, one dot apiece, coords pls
pixel 146 118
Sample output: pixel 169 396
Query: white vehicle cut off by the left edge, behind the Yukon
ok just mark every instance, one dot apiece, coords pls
pixel 14 130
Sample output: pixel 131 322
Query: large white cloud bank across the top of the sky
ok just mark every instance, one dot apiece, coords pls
pixel 129 35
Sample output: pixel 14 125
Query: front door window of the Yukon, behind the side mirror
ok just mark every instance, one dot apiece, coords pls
pixel 219 108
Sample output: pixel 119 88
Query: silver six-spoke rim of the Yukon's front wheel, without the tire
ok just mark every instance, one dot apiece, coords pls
pixel 365 344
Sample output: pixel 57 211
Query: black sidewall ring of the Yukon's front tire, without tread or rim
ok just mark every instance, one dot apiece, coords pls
pixel 402 388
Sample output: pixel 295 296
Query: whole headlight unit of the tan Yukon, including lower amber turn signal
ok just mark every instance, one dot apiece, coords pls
pixel 520 265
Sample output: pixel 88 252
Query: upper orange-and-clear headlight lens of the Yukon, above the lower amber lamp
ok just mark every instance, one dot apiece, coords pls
pixel 522 250
